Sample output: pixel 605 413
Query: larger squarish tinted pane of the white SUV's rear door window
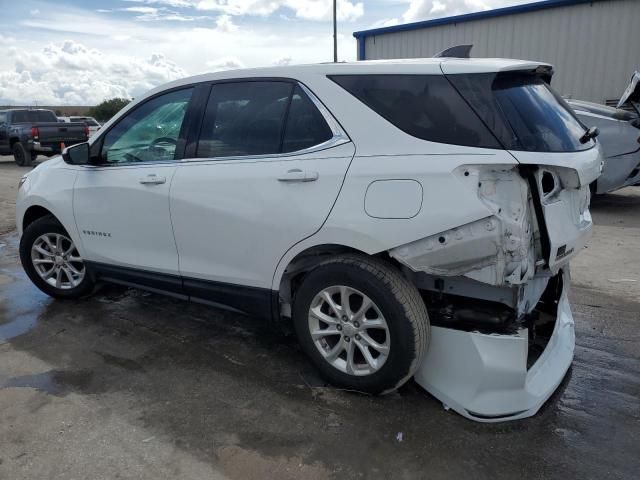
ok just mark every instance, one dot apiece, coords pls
pixel 244 118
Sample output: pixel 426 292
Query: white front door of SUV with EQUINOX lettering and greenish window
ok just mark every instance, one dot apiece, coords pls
pixel 121 203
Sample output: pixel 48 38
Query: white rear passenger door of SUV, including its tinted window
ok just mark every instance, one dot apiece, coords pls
pixel 269 165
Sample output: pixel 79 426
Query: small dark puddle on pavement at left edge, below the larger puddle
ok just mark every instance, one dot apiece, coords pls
pixel 53 382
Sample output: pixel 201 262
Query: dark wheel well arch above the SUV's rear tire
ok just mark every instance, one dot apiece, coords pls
pixel 306 261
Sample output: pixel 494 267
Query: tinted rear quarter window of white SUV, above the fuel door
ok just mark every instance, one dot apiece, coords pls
pixel 424 106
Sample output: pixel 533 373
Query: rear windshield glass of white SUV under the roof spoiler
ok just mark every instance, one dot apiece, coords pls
pixel 523 111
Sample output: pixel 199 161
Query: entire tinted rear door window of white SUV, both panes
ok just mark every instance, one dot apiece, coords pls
pixel 260 118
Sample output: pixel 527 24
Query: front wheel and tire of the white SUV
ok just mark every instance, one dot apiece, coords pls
pixel 70 285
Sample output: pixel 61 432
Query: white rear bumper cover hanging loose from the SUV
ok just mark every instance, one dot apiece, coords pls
pixel 484 377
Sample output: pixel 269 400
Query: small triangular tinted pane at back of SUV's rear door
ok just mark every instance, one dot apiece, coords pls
pixel 306 126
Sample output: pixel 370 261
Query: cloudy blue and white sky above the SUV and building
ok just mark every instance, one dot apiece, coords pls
pixel 81 52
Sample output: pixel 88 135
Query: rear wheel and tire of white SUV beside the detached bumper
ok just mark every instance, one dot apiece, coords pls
pixel 396 302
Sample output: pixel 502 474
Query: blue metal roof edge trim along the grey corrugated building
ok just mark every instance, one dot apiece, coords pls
pixel 468 17
